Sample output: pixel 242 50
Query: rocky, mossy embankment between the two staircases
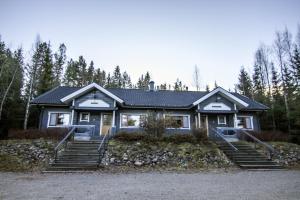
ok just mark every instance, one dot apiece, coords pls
pixel 165 155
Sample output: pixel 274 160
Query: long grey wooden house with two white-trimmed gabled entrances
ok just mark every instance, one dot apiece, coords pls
pixel 125 109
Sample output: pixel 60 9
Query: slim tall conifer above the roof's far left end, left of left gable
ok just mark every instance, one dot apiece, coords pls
pixel 60 59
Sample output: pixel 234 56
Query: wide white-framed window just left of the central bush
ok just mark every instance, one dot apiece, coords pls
pixel 132 120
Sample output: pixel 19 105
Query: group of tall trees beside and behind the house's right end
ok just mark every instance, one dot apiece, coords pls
pixel 275 81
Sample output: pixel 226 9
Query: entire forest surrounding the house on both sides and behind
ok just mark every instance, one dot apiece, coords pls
pixel 273 80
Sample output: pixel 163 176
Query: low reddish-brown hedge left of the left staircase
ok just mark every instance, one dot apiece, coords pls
pixel 54 134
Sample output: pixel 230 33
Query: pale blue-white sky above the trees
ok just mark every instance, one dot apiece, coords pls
pixel 166 38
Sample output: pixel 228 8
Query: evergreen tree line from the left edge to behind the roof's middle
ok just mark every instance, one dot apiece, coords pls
pixel 45 69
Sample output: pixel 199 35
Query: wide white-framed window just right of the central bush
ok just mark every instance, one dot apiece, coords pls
pixel 177 121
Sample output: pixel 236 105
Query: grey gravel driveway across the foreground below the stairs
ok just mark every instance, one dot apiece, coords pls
pixel 152 185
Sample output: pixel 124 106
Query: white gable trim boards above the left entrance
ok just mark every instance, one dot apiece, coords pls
pixel 88 88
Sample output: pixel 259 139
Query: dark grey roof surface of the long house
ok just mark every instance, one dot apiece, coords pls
pixel 143 98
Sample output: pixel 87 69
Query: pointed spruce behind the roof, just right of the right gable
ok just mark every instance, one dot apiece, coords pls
pixel 245 84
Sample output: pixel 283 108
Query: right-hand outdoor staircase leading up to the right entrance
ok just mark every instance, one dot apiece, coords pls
pixel 247 157
